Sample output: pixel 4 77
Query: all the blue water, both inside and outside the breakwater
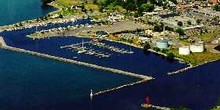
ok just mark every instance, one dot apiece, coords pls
pixel 32 83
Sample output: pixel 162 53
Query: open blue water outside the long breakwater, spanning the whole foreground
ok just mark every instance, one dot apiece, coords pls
pixel 29 82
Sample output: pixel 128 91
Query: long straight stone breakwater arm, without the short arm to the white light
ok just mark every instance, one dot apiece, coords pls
pixel 143 77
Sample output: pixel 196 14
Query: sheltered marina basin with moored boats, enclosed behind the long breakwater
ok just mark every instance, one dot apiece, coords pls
pixel 110 50
